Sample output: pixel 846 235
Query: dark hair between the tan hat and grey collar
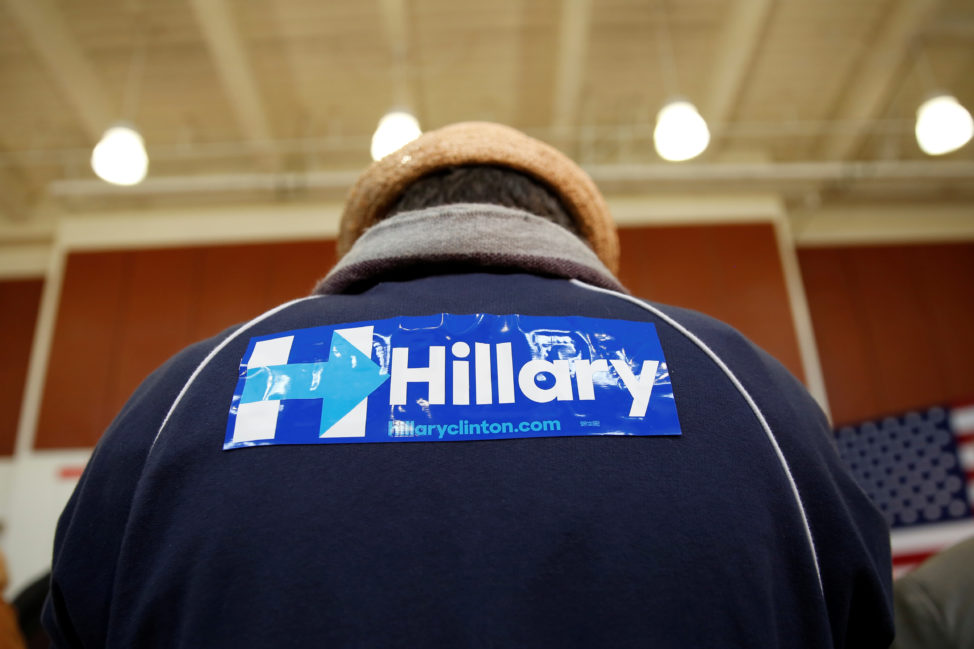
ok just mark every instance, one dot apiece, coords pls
pixel 484 184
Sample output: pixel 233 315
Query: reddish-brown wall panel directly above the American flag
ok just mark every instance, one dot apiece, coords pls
pixel 893 325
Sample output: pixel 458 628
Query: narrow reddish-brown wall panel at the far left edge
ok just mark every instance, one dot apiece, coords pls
pixel 19 304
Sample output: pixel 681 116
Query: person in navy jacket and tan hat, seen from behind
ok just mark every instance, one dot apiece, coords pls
pixel 538 460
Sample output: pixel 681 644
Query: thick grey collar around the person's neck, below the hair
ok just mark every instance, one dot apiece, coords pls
pixel 474 237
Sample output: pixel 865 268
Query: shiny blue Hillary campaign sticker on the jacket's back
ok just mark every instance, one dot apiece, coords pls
pixel 449 377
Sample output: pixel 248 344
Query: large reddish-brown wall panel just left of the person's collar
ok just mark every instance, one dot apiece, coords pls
pixel 123 313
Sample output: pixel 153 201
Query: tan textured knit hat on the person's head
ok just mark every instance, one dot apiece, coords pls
pixel 472 143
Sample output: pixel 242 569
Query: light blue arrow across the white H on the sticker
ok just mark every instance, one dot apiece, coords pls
pixel 342 383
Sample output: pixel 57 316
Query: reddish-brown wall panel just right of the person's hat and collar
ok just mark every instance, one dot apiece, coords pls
pixel 731 272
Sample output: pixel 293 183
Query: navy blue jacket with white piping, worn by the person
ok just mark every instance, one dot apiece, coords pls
pixel 730 535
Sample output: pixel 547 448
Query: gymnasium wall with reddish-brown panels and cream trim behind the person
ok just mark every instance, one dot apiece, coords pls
pixel 871 328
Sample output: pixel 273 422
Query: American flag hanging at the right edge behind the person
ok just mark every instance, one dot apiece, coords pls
pixel 918 468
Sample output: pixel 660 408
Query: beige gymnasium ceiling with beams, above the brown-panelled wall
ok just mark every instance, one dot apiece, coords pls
pixel 277 99
